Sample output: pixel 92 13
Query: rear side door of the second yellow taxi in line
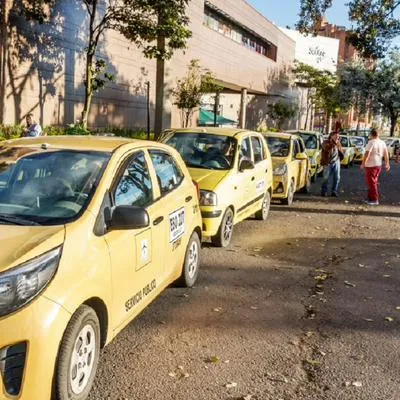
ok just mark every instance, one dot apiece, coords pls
pixel 261 168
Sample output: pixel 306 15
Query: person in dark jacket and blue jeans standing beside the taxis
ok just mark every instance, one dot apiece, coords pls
pixel 330 160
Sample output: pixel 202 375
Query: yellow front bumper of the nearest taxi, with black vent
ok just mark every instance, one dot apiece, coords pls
pixel 29 342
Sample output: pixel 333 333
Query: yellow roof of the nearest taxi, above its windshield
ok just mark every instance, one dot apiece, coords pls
pixel 96 143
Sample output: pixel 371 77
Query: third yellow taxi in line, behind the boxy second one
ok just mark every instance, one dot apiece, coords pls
pixel 291 166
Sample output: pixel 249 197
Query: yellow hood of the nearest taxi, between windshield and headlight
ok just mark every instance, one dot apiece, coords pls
pixel 22 243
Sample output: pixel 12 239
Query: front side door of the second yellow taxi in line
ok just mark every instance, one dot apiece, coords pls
pixel 244 183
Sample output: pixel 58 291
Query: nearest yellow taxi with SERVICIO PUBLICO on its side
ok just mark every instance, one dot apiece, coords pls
pixel 92 230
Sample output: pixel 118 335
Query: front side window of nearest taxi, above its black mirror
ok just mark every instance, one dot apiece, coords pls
pixel 134 188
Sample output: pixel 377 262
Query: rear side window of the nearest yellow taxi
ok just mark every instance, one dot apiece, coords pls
pixel 169 175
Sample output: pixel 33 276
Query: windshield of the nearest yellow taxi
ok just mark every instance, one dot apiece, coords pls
pixel 47 187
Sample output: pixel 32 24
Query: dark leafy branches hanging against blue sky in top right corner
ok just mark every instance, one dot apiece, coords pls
pixel 375 23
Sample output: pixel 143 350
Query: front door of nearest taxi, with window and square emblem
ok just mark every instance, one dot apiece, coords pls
pixel 137 255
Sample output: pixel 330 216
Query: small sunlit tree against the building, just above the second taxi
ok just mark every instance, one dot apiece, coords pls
pixel 190 89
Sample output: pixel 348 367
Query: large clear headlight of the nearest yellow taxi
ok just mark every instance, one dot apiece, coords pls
pixel 22 284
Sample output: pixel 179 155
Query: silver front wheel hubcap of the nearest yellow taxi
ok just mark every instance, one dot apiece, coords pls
pixel 82 359
